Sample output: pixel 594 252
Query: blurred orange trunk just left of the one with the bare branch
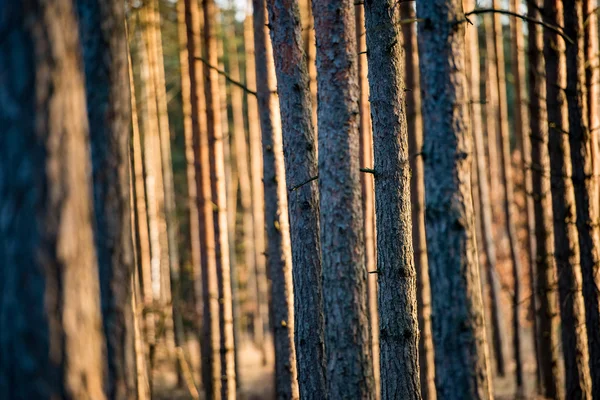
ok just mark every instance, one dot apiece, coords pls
pixel 210 339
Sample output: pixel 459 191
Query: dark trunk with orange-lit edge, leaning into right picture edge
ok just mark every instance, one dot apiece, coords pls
pixel 584 182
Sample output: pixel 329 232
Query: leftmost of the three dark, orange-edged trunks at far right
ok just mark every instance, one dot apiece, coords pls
pixel 543 262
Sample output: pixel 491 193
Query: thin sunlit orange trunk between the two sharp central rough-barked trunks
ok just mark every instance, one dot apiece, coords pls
pixel 368 191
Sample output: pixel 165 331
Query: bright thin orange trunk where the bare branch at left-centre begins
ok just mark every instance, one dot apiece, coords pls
pixel 217 170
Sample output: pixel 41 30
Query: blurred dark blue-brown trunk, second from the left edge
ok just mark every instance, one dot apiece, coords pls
pixel 104 44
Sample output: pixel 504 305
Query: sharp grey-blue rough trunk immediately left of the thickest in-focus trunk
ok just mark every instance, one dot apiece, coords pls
pixel 399 333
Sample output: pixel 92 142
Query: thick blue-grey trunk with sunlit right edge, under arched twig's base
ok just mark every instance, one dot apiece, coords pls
pixel 457 309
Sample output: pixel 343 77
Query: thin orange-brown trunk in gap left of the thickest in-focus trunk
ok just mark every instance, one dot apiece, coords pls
pixel 415 146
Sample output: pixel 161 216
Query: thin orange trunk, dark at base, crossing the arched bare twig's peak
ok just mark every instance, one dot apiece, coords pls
pixel 510 215
